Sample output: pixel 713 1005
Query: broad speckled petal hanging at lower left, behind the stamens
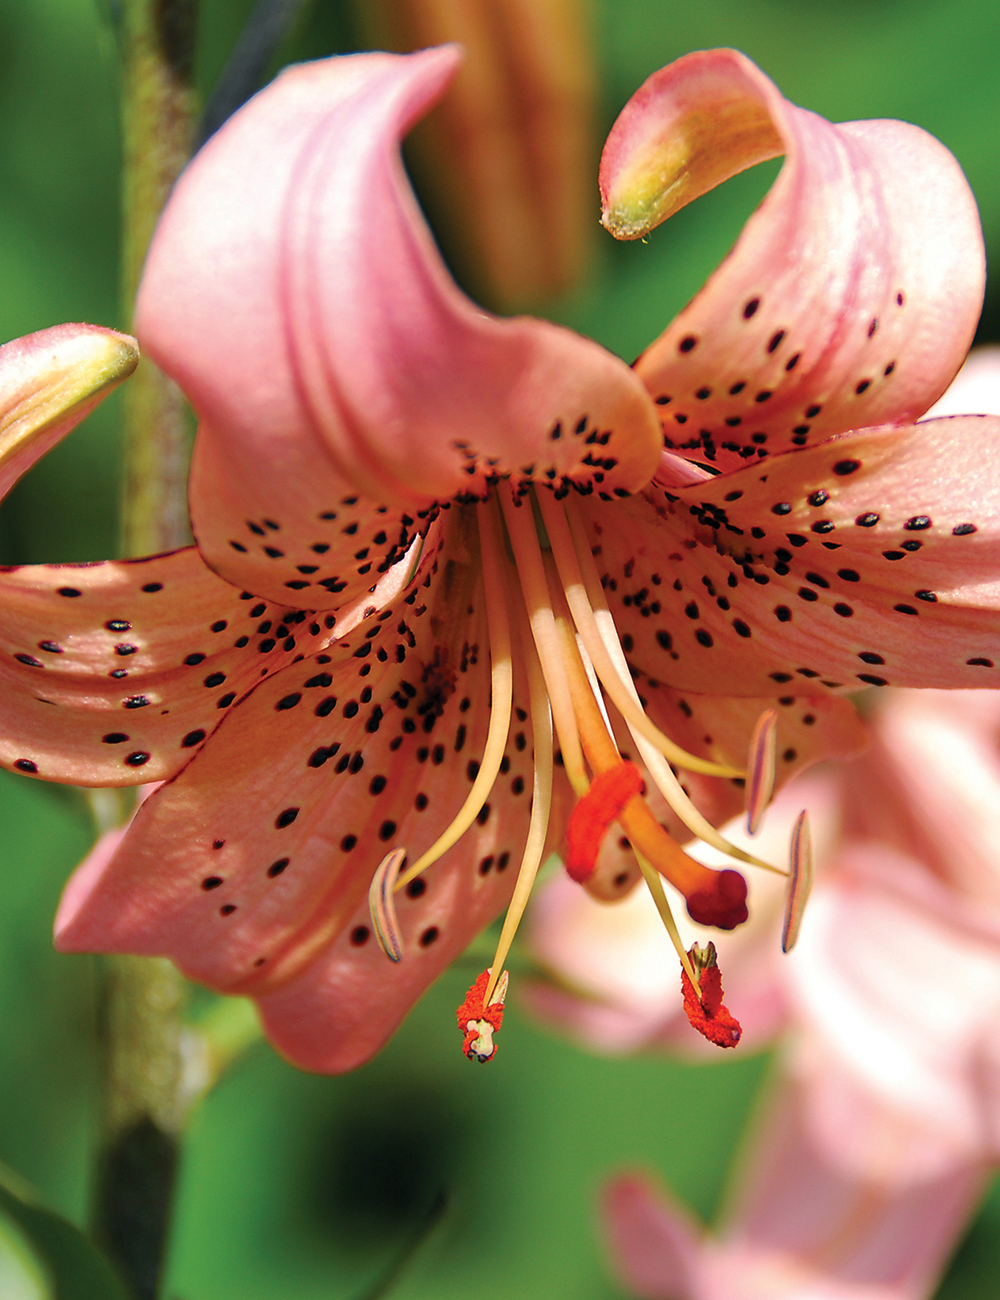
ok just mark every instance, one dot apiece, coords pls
pixel 252 869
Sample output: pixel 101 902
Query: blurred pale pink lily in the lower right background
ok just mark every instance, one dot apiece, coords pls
pixel 881 1134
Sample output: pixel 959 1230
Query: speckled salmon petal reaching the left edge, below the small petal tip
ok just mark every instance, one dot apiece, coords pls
pixel 114 674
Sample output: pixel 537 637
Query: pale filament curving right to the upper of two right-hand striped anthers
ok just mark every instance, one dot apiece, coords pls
pixel 574 588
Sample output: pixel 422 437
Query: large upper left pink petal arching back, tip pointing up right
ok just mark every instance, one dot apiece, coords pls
pixel 353 363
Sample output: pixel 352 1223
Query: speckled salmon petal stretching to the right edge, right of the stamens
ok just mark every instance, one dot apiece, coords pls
pixel 871 560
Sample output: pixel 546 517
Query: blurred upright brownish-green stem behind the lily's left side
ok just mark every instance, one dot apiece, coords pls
pixel 144 1081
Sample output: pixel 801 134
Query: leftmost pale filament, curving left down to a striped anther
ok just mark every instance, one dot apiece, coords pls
pixel 503 695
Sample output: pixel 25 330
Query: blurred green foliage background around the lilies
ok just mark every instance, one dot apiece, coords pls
pixel 298 1188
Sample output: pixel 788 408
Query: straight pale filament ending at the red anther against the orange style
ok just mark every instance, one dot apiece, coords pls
pixel 531 574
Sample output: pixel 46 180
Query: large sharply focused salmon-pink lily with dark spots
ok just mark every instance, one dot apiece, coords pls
pixel 746 518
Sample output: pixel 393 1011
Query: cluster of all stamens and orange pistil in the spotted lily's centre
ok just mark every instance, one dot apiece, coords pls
pixel 546 603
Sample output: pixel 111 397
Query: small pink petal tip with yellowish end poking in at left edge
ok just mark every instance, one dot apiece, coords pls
pixel 49 383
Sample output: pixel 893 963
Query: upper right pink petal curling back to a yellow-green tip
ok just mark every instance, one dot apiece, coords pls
pixel 854 293
